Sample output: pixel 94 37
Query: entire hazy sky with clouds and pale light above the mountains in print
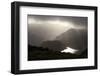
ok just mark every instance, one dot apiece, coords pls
pixel 42 28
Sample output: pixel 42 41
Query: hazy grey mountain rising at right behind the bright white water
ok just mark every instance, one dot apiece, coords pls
pixel 76 39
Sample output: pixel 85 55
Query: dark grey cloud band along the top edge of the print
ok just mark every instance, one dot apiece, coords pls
pixel 76 20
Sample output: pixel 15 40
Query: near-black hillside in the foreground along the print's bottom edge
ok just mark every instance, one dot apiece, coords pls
pixel 40 53
